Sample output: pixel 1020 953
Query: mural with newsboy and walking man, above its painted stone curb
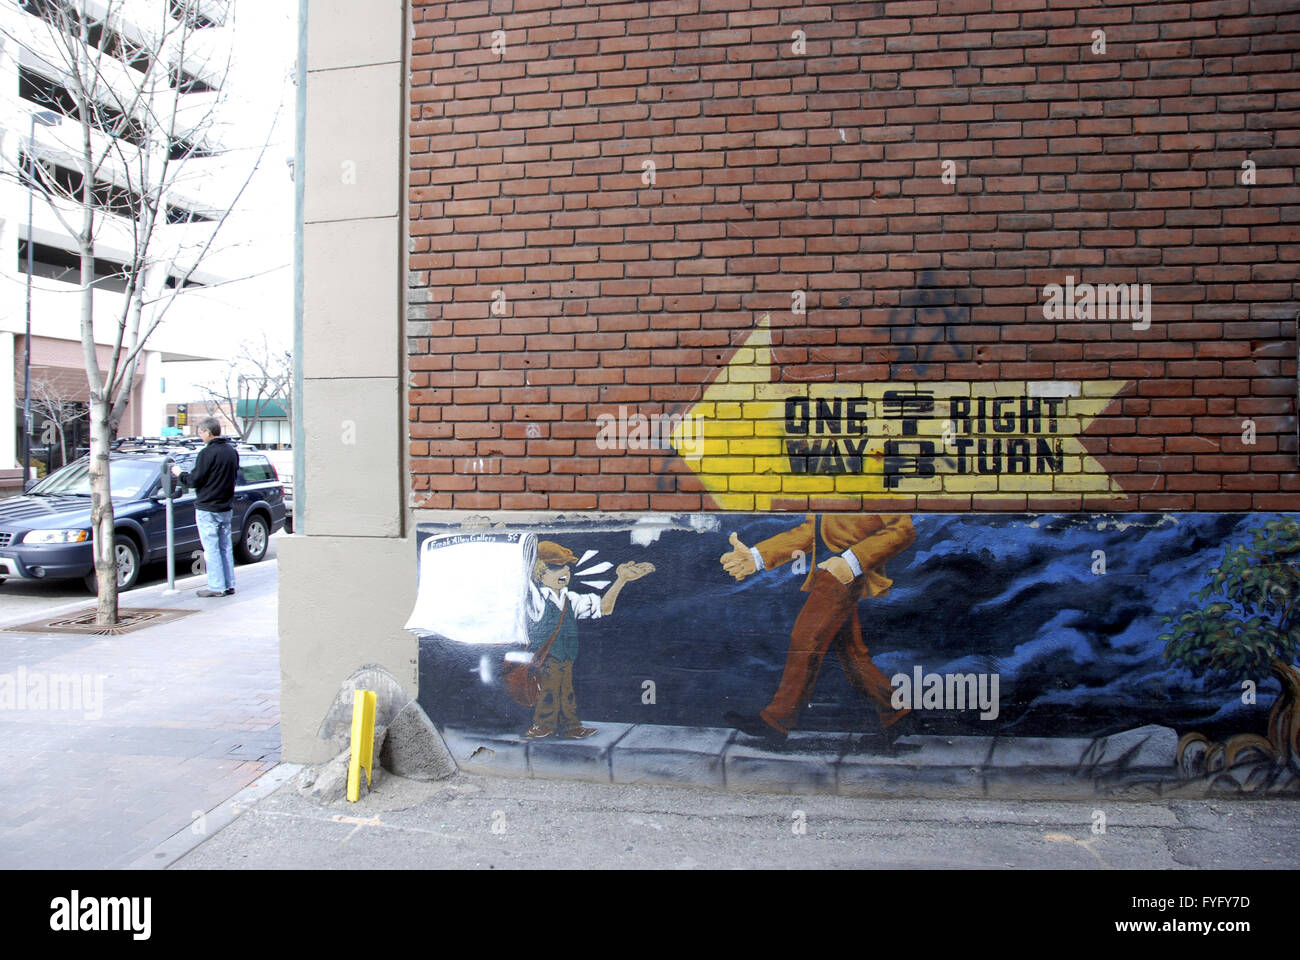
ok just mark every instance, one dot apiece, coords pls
pixel 883 629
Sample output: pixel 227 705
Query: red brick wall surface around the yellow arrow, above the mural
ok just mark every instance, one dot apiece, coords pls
pixel 779 172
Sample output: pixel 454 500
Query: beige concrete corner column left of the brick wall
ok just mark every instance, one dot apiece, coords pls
pixel 348 576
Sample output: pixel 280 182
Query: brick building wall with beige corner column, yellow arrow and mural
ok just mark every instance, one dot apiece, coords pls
pixel 955 339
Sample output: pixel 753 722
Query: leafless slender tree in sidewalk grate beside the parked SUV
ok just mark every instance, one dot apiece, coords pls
pixel 145 103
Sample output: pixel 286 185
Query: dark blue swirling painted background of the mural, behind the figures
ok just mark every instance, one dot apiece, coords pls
pixel 1077 654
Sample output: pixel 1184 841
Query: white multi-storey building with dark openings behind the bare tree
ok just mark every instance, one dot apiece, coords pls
pixel 37 128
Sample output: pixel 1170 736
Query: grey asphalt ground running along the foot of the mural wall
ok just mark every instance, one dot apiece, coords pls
pixel 473 821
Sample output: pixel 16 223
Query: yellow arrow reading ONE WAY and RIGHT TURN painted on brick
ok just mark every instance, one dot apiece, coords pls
pixel 753 442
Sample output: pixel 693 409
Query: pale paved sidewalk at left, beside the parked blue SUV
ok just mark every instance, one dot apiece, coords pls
pixel 189 716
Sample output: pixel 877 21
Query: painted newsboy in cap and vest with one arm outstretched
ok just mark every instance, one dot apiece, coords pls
pixel 554 615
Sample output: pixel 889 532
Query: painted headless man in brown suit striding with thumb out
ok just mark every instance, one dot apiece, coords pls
pixel 855 548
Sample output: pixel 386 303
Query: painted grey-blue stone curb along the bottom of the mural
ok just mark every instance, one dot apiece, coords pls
pixel 1130 764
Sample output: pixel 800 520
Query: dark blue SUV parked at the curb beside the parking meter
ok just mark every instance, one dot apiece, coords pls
pixel 46 535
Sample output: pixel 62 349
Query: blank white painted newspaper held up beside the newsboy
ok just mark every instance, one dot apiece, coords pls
pixel 474 589
